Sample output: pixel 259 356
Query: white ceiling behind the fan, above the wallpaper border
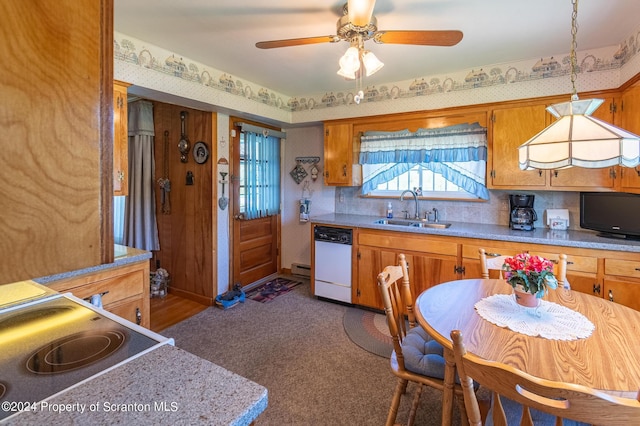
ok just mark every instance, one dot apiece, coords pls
pixel 222 34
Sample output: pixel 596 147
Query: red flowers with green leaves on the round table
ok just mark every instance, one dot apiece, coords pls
pixel 534 274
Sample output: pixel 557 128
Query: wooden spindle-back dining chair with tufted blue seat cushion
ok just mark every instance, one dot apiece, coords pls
pixel 416 357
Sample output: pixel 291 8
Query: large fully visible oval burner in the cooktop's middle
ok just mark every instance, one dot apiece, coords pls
pixel 75 351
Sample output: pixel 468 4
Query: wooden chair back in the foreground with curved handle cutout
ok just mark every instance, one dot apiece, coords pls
pixel 563 400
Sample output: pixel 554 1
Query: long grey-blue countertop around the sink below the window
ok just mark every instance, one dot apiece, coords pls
pixel 569 238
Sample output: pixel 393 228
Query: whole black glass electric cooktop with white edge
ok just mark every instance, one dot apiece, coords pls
pixel 53 344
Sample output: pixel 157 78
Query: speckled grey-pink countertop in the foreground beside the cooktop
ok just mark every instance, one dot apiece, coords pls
pixel 165 386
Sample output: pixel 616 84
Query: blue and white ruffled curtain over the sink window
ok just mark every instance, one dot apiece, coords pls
pixel 458 153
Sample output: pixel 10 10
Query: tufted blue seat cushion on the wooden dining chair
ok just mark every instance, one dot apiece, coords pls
pixel 422 354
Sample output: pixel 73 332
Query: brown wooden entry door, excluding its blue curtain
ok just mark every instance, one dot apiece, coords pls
pixel 255 243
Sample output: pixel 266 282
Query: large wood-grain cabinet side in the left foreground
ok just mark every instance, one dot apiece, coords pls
pixel 56 126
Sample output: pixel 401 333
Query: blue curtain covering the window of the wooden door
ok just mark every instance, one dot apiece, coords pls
pixel 260 172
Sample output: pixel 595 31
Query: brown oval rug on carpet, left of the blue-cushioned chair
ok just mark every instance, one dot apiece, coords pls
pixel 368 330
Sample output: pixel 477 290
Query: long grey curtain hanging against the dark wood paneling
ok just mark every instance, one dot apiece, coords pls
pixel 141 228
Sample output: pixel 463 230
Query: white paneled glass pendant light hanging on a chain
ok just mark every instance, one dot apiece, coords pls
pixel 576 138
